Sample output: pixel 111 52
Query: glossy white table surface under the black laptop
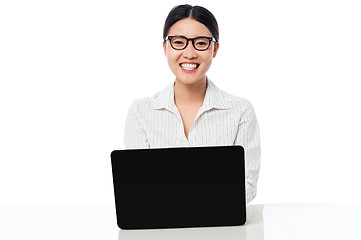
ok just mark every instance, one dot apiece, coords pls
pixel 264 221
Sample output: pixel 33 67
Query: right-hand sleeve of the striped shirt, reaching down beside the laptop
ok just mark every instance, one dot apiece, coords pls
pixel 249 138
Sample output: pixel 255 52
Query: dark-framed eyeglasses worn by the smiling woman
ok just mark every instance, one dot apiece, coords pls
pixel 199 43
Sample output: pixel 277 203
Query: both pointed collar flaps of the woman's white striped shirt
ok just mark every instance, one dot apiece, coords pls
pixel 212 99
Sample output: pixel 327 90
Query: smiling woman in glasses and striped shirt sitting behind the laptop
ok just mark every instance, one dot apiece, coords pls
pixel 192 111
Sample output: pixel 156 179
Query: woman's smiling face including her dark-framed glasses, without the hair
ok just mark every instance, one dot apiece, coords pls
pixel 190 62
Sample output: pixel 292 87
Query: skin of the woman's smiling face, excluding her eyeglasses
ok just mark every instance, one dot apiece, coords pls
pixel 189 28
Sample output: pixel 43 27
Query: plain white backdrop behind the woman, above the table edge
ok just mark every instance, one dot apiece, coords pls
pixel 70 69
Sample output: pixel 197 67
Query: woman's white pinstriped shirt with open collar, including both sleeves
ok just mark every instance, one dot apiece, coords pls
pixel 222 120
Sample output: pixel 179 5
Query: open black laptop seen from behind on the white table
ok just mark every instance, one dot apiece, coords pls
pixel 179 187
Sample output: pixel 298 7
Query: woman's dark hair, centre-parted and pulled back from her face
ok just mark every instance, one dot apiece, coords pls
pixel 197 13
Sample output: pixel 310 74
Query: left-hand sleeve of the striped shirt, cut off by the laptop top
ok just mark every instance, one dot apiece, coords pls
pixel 134 134
